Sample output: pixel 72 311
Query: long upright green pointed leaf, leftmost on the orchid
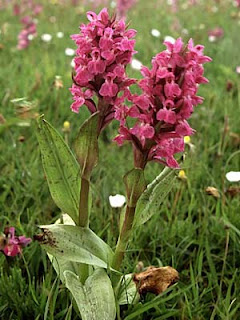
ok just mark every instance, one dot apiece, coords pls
pixel 61 169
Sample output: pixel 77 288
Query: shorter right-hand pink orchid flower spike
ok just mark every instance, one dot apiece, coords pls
pixel 169 95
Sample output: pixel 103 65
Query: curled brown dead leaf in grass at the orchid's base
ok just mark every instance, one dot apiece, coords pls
pixel 155 280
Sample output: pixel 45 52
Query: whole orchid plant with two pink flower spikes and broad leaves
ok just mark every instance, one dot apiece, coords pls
pixel 88 266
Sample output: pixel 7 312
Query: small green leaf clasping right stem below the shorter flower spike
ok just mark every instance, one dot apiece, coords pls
pixel 135 185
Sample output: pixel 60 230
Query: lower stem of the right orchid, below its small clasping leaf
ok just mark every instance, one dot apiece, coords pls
pixel 123 238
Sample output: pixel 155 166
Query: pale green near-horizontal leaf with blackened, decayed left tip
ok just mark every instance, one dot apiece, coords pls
pixel 76 244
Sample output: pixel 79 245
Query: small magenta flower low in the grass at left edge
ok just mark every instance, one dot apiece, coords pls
pixel 12 245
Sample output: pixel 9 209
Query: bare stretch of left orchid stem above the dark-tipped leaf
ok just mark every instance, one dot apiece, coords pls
pixel 83 204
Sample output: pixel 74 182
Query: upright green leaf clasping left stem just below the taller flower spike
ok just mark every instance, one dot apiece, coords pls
pixel 86 145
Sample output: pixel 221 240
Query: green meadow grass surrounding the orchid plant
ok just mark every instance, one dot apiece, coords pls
pixel 195 233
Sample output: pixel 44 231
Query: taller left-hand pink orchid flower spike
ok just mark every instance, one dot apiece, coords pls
pixel 104 49
